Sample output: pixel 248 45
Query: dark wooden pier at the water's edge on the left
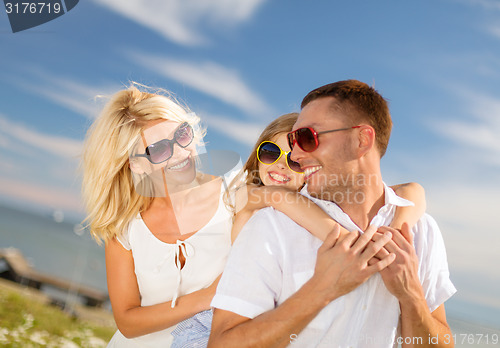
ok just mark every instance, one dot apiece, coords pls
pixel 14 267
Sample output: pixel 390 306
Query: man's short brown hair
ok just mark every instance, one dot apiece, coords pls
pixel 361 103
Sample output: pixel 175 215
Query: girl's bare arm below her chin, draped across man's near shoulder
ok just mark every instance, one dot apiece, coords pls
pixel 290 203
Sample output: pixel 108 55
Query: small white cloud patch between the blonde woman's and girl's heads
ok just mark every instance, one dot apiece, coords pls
pixel 243 132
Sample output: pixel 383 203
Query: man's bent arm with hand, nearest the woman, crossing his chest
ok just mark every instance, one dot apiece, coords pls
pixel 341 266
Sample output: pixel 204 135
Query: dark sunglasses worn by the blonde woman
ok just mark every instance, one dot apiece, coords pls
pixel 163 150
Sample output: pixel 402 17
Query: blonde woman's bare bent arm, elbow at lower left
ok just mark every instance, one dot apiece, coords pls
pixel 131 318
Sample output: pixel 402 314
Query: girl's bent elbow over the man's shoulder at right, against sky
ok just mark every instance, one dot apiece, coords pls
pixel 413 192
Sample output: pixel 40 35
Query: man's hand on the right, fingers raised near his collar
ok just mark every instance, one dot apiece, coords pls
pixel 401 276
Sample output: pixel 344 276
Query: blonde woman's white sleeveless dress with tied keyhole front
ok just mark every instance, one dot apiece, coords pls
pixel 161 280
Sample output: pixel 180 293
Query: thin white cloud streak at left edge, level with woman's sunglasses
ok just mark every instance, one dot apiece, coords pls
pixel 57 145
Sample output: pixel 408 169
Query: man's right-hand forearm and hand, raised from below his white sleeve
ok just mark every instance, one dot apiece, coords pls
pixel 402 280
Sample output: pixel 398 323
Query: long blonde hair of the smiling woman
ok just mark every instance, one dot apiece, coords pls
pixel 108 191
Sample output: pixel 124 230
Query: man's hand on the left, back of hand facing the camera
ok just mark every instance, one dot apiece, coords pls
pixel 344 263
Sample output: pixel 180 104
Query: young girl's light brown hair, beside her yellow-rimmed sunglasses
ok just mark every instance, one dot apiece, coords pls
pixel 249 175
